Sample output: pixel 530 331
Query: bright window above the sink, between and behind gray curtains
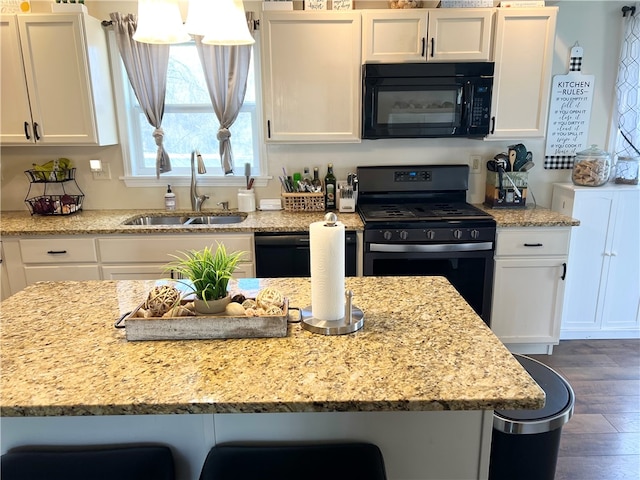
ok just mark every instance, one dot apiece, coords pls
pixel 189 123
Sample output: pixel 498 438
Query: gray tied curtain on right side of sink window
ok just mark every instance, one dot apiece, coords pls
pixel 225 70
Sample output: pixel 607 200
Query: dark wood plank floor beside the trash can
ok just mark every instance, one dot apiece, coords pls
pixel 602 440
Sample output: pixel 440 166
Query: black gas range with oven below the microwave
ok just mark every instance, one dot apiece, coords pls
pixel 417 222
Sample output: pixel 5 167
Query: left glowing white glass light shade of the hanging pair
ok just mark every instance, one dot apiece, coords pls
pixel 159 21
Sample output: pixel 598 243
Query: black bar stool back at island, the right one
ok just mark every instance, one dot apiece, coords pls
pixel 342 461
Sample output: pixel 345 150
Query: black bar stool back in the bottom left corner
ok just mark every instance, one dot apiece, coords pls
pixel 84 463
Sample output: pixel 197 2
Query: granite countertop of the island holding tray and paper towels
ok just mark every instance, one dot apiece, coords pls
pixel 61 355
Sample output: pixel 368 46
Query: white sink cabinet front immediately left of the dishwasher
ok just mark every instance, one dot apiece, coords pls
pixel 134 257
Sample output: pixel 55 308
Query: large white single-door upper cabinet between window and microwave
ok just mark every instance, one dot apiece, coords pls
pixel 311 76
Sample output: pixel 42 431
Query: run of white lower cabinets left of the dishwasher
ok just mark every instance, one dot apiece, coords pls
pixel 117 257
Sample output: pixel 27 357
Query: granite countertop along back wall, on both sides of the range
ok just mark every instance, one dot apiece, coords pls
pixel 98 222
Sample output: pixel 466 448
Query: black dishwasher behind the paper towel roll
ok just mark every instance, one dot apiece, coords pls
pixel 287 254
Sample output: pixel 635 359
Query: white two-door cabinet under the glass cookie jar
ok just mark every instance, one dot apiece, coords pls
pixel 603 284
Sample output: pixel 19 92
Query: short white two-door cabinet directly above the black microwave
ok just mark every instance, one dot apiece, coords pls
pixel 432 35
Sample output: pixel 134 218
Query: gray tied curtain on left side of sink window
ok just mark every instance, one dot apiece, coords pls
pixel 146 65
